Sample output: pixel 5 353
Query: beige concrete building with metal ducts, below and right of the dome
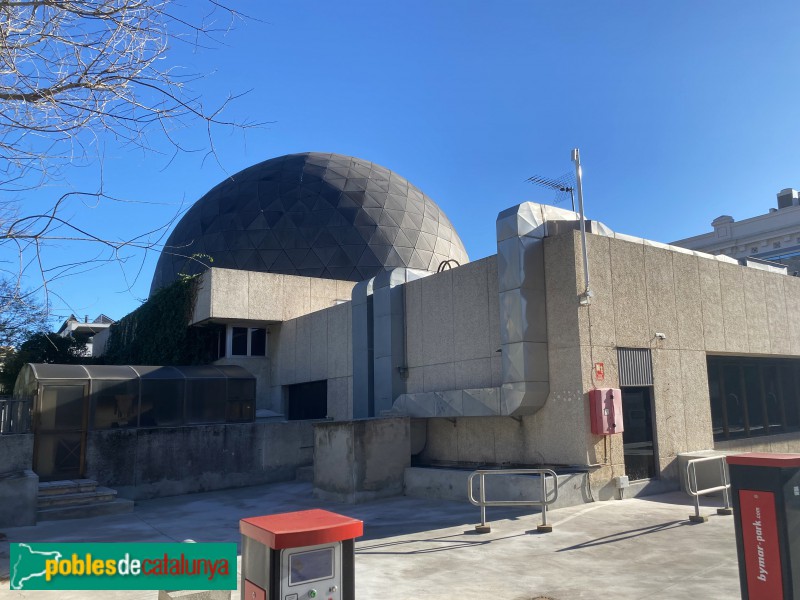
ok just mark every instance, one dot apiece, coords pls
pixel 494 360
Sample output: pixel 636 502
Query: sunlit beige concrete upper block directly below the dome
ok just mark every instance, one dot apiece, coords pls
pixel 229 295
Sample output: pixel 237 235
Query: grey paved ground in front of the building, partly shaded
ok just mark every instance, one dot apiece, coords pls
pixel 418 549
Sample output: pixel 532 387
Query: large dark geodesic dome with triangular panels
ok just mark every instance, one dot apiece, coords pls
pixel 311 214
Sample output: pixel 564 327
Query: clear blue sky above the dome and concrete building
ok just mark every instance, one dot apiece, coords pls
pixel 682 110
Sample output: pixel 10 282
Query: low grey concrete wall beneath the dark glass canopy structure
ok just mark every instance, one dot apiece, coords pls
pixel 148 463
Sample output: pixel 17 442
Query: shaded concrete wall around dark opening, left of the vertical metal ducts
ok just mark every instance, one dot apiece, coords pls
pixel 314 347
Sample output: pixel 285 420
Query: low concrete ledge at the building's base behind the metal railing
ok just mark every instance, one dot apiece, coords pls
pixel 451 484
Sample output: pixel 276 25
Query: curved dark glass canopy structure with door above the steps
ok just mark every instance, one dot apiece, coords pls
pixel 61 403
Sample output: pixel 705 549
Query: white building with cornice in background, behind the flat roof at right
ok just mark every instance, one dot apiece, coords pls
pixel 774 236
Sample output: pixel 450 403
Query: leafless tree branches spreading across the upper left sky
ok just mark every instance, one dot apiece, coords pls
pixel 74 73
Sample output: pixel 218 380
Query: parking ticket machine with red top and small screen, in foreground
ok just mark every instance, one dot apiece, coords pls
pixel 299 556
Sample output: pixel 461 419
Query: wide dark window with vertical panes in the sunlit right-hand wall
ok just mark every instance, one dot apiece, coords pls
pixel 753 396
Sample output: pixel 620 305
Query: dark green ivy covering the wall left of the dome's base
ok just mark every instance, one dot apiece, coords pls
pixel 157 333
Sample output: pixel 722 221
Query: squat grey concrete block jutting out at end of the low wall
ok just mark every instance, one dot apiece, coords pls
pixel 357 461
